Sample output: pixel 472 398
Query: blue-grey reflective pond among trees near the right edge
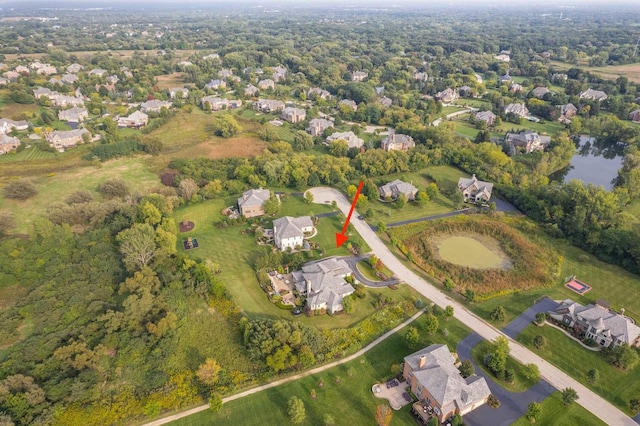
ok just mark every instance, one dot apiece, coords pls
pixel 593 163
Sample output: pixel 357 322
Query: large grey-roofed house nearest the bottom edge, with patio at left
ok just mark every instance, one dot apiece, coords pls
pixel 436 382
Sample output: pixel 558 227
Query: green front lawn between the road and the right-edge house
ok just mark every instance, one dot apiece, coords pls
pixel 615 385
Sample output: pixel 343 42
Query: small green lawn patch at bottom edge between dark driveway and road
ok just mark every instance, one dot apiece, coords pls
pixel 555 413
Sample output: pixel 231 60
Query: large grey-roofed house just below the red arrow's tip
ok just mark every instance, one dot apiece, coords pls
pixel 323 284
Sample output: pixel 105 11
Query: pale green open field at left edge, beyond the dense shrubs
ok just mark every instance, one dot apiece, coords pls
pixel 56 187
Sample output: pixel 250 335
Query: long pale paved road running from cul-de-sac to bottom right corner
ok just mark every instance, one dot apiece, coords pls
pixel 597 405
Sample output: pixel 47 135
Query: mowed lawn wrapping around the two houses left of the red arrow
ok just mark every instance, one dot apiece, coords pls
pixel 236 253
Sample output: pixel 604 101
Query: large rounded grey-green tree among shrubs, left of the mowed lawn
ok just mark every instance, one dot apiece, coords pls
pixel 138 245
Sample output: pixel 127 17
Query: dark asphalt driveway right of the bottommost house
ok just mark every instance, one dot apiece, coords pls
pixel 512 405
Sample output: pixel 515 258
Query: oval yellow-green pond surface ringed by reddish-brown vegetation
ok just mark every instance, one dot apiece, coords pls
pixel 472 250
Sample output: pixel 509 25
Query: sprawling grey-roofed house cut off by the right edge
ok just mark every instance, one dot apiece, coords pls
pixel 596 321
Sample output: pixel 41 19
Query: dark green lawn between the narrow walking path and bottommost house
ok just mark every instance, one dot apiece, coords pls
pixel 350 401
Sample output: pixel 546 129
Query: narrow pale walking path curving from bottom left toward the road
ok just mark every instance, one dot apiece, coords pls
pixel 316 370
